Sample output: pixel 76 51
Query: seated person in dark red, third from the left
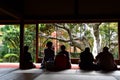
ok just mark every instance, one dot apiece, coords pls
pixel 62 59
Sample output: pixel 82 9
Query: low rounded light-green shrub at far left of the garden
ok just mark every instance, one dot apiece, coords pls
pixel 11 58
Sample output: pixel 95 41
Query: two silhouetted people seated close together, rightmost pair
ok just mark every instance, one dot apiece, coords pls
pixel 103 61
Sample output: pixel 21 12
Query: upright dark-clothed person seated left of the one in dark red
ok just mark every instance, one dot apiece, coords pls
pixel 49 55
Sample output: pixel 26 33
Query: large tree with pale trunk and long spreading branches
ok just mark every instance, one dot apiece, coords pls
pixel 81 35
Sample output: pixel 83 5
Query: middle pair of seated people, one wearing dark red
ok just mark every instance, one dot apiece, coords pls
pixel 59 62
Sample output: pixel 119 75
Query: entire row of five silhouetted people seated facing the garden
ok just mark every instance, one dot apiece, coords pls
pixel 103 61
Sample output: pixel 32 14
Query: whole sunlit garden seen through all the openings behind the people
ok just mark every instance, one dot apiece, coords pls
pixel 75 36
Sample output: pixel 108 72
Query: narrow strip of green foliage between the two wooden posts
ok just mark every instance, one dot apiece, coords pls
pixel 30 38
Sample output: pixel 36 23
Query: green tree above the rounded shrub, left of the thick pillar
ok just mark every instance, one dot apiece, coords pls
pixel 10 39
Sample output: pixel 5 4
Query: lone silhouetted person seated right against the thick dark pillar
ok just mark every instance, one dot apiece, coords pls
pixel 28 58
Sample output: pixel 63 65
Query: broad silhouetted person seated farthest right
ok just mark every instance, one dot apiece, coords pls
pixel 105 60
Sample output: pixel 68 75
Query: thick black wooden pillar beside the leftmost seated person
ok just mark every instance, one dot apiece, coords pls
pixel 21 45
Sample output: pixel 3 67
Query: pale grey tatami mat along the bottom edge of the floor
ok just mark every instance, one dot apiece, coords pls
pixel 73 77
